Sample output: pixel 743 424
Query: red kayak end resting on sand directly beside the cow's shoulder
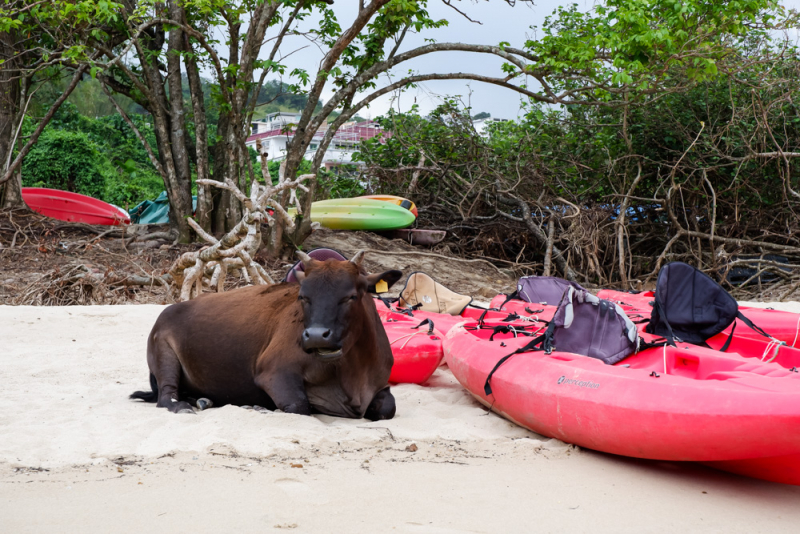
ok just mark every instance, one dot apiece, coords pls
pixel 417 348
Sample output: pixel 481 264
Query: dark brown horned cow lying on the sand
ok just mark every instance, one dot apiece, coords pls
pixel 314 346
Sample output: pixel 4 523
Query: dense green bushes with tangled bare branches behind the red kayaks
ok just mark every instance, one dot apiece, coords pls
pixel 712 143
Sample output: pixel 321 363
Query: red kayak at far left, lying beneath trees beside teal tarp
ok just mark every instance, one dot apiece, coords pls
pixel 73 207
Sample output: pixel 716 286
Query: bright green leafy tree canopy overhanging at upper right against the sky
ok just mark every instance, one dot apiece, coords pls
pixel 640 43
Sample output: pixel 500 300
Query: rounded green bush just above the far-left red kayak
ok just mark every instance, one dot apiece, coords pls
pixel 68 161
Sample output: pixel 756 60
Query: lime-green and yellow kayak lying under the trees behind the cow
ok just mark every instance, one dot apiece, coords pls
pixel 359 214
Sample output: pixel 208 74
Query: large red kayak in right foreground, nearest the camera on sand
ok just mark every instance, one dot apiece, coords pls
pixel 681 404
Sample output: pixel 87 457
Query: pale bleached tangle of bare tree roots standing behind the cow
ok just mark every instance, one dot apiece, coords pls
pixel 234 252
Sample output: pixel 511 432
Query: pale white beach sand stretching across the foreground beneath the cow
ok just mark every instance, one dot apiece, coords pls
pixel 77 456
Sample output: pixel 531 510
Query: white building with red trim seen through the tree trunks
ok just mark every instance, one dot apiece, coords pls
pixel 276 130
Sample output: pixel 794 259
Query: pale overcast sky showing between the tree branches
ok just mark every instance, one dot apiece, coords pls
pixel 499 22
